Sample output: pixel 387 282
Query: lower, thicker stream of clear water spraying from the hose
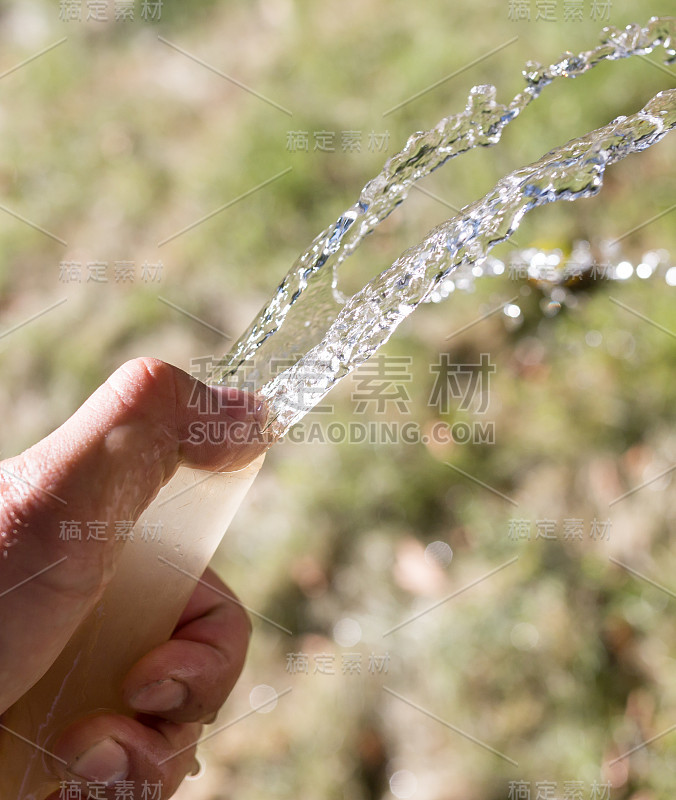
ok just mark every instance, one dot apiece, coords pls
pixel 370 317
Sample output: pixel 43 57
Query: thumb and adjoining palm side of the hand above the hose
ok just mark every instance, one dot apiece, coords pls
pixel 104 464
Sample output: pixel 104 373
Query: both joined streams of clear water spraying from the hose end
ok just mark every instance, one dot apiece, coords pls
pixel 337 333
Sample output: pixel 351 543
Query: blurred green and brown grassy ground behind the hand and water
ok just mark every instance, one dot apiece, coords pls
pixel 453 613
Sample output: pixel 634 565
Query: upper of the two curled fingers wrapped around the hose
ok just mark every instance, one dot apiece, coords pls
pixel 189 677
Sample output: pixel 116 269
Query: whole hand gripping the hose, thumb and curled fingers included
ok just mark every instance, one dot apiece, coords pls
pixel 107 462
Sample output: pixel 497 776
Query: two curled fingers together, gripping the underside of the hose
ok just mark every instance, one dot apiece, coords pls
pixel 180 684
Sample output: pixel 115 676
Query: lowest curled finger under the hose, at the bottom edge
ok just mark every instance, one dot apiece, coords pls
pixel 109 748
